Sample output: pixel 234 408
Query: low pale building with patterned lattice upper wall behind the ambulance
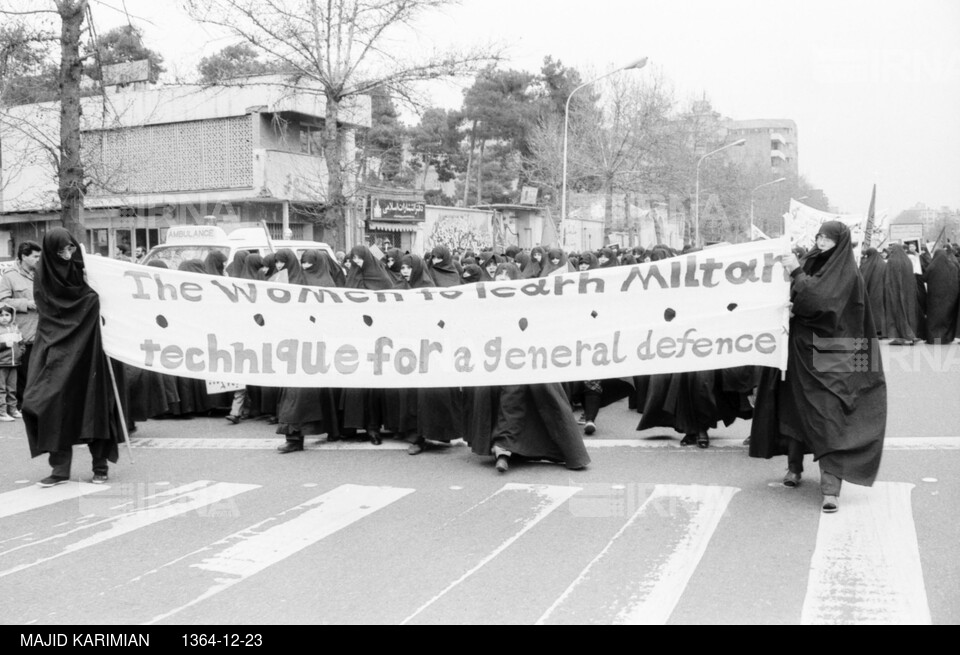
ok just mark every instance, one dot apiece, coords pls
pixel 249 151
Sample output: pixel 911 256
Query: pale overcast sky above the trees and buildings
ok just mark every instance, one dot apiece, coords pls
pixel 874 87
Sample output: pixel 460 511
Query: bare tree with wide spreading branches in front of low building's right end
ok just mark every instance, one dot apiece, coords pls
pixel 348 47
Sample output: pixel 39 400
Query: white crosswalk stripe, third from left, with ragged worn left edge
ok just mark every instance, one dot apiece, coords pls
pixel 250 551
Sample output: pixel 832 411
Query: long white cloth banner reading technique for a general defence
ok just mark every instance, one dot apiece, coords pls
pixel 718 308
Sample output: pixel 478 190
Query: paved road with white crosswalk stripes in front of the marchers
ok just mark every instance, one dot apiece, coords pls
pixel 211 527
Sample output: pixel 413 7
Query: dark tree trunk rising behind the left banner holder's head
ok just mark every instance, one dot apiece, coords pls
pixel 70 173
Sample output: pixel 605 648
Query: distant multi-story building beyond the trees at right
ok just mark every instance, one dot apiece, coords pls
pixel 769 143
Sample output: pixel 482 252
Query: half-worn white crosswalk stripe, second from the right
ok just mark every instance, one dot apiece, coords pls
pixel 651 595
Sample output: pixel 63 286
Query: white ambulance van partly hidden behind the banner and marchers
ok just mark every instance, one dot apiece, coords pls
pixel 185 242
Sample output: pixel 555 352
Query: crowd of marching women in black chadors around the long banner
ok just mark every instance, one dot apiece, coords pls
pixel 838 415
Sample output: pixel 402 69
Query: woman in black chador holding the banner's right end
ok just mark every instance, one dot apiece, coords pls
pixel 834 400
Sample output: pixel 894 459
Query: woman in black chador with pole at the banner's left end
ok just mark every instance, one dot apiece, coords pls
pixel 68 398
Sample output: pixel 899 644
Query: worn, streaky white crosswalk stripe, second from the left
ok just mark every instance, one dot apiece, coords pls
pixel 156 508
